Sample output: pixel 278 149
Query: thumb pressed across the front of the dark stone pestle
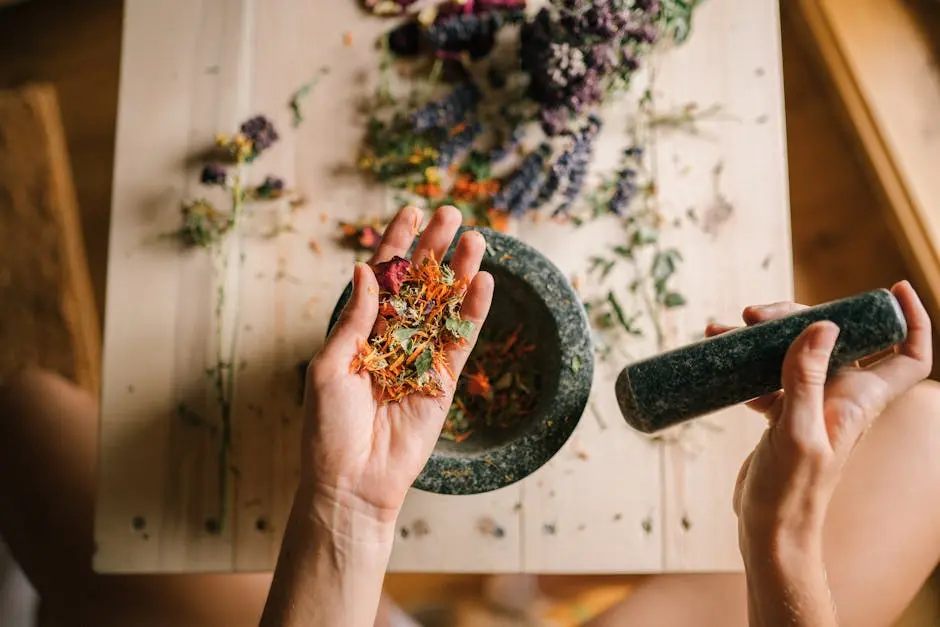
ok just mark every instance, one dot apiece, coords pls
pixel 805 369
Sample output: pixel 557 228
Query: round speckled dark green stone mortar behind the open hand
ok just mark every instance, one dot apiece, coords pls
pixel 530 291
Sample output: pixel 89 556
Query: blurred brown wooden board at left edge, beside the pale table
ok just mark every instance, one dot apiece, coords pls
pixel 46 302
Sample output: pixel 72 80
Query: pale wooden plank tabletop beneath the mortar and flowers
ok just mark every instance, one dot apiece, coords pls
pixel 610 500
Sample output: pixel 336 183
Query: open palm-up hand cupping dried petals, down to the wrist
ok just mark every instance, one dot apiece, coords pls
pixel 359 454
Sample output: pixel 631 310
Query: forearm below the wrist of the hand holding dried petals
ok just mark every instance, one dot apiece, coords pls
pixel 331 566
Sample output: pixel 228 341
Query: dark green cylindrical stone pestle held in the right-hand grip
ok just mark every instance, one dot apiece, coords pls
pixel 737 366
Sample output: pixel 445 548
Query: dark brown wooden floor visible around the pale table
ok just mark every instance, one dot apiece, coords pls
pixel 841 244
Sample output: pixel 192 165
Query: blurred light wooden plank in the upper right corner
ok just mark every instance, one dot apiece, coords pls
pixel 880 64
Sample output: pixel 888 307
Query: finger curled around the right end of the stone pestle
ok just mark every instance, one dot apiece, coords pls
pixel 914 357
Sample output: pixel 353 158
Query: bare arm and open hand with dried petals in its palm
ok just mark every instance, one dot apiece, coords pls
pixel 359 456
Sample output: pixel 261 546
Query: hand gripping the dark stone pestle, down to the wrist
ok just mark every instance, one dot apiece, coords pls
pixel 784 487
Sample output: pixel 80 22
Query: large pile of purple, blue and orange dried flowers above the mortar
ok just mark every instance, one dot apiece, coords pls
pixel 570 57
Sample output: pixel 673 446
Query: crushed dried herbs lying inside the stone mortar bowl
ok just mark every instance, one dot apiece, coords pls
pixel 498 388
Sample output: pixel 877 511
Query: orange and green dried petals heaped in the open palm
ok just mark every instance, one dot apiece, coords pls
pixel 419 311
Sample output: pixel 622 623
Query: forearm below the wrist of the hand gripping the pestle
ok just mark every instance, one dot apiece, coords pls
pixel 787 585
